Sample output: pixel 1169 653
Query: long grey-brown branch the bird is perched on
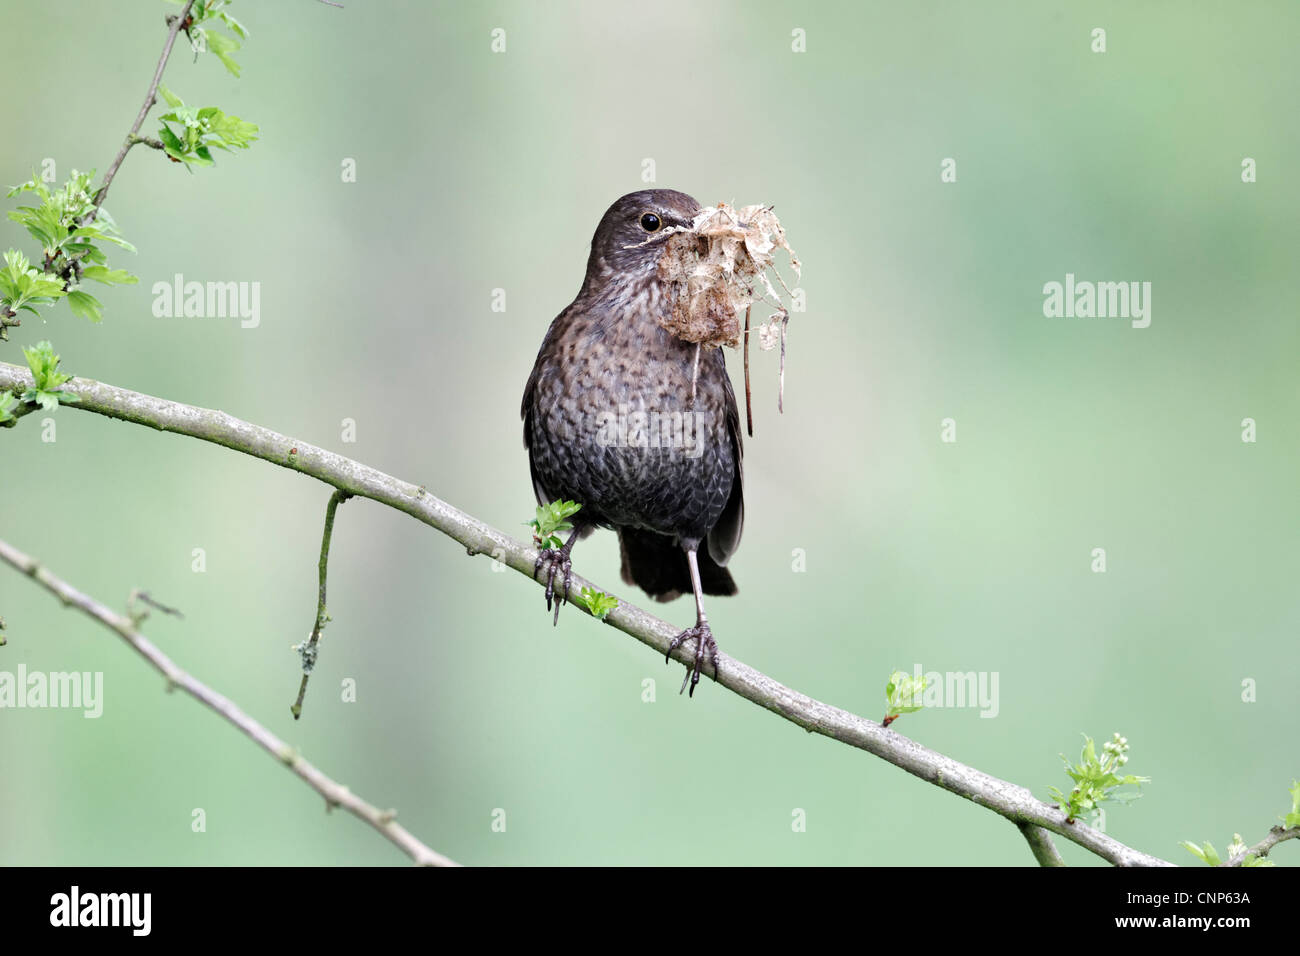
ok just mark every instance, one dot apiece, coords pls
pixel 1009 801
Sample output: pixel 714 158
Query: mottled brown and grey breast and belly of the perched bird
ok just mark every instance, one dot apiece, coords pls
pixel 621 426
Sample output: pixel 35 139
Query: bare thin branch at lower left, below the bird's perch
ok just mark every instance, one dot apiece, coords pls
pixel 335 794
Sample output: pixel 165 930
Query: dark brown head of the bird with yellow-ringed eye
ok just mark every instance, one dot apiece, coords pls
pixel 627 244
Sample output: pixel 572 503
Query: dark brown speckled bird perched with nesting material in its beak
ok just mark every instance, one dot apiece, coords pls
pixel 638 426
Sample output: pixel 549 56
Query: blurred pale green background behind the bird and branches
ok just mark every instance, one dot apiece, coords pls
pixel 480 171
